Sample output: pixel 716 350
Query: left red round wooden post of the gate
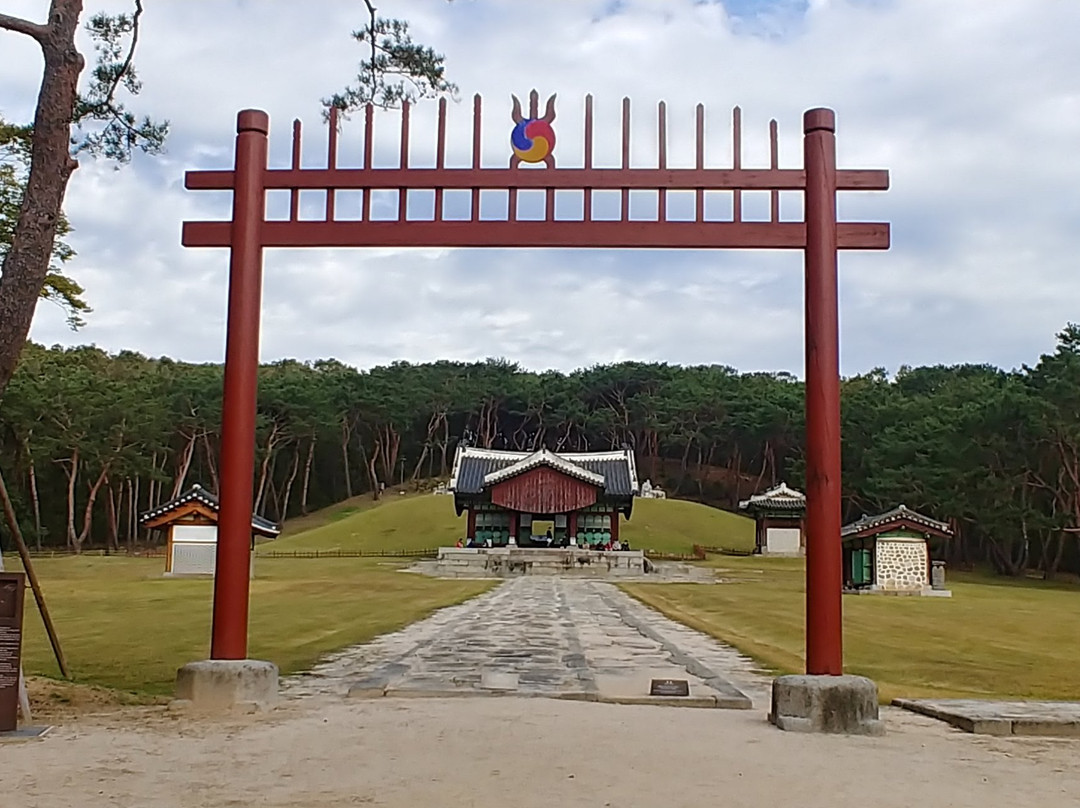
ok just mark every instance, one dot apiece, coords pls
pixel 233 578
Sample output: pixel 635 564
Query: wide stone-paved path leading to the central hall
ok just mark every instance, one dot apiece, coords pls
pixel 558 638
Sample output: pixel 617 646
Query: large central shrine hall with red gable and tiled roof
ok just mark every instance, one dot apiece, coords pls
pixel 582 494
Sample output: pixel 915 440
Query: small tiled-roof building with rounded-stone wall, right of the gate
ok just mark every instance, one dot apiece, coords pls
pixel 892 553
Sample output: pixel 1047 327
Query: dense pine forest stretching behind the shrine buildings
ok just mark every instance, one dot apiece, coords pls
pixel 89 440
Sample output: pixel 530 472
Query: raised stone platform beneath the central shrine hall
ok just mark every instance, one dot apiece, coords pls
pixel 505 562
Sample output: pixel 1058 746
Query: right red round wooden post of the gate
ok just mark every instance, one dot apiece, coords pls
pixel 825 574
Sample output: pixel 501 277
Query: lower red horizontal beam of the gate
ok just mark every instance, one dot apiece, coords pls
pixel 605 235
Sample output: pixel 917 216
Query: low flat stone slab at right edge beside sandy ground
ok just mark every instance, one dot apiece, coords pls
pixel 1047 719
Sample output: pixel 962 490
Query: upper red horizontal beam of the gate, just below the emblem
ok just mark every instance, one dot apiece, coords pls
pixel 561 179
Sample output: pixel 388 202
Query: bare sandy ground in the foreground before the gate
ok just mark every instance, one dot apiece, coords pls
pixel 507 752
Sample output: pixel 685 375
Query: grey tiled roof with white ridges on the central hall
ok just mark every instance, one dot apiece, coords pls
pixel 476 469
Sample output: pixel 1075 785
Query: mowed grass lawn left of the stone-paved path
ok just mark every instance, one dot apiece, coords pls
pixel 124 626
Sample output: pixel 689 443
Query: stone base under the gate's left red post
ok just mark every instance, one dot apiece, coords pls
pixel 226 685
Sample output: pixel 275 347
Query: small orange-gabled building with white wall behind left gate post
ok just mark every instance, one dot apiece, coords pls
pixel 191 527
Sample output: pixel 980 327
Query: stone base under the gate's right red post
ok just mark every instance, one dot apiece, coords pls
pixel 841 705
